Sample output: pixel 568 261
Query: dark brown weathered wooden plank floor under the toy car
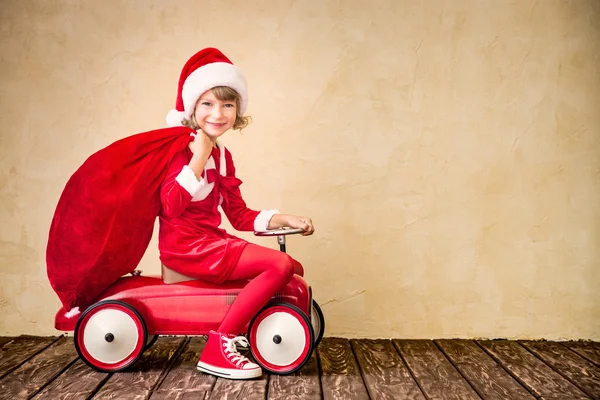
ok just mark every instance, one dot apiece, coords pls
pixel 49 368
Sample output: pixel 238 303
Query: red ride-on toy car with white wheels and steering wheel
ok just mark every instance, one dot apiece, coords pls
pixel 128 317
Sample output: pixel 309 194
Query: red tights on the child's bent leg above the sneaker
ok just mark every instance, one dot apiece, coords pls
pixel 269 270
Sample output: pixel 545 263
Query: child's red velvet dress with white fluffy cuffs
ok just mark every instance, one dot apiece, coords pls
pixel 190 240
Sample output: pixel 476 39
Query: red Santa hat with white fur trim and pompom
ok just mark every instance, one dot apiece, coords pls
pixel 206 69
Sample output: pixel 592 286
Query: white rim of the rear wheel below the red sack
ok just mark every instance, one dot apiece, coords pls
pixel 120 325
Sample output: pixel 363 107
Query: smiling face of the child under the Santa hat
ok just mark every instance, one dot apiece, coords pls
pixel 215 117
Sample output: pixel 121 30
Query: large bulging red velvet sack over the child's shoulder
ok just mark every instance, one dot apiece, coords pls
pixel 105 216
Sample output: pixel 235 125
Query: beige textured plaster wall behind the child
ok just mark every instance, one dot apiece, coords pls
pixel 448 151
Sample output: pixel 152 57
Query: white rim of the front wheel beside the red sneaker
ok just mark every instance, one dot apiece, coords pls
pixel 293 339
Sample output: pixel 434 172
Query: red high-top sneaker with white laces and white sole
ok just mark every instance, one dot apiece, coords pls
pixel 220 357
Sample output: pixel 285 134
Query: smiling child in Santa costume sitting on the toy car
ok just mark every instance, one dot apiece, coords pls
pixel 212 98
